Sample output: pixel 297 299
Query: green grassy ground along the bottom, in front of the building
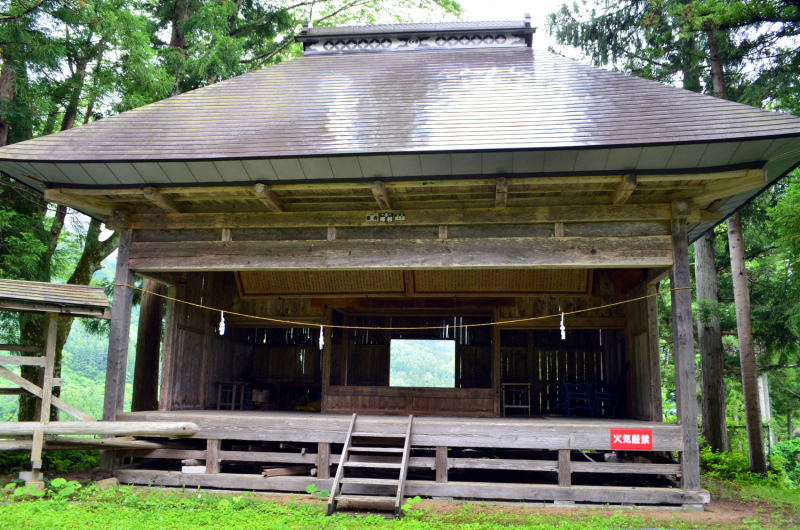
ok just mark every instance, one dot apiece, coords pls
pixel 735 506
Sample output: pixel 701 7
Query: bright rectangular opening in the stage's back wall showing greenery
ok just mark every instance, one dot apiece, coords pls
pixel 422 363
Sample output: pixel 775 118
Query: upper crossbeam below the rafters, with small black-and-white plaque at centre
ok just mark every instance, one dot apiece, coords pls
pixel 422 217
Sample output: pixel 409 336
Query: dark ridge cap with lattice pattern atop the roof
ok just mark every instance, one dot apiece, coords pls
pixel 416 37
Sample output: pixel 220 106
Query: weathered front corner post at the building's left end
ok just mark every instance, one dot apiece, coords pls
pixel 118 341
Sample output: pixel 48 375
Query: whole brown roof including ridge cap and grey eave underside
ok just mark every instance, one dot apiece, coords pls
pixel 480 103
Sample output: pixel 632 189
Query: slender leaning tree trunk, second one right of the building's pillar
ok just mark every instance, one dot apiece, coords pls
pixel 744 324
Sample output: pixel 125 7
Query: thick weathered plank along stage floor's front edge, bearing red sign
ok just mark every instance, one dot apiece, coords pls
pixel 542 432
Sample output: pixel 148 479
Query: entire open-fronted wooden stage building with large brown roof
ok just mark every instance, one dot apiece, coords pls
pixel 429 182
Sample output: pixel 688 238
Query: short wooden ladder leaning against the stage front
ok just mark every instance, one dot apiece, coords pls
pixel 344 462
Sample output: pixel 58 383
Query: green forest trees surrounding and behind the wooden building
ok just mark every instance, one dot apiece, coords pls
pixel 66 63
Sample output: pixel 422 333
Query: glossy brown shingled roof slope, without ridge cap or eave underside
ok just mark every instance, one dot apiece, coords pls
pixel 453 100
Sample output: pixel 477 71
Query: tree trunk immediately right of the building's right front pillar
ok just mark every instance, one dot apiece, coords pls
pixel 709 335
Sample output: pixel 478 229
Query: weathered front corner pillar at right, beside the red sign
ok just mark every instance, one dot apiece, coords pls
pixel 683 351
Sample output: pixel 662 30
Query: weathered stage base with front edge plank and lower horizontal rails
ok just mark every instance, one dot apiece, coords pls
pixel 532 475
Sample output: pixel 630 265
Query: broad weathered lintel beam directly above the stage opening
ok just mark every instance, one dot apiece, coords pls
pixel 579 252
